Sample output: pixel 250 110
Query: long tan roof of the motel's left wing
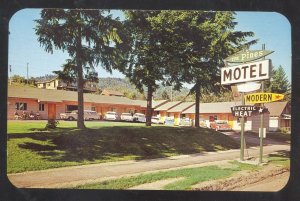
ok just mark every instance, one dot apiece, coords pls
pixel 52 95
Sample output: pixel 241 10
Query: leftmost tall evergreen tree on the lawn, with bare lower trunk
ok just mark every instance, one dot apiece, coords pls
pixel 90 37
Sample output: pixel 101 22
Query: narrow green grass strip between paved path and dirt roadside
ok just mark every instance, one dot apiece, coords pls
pixel 190 177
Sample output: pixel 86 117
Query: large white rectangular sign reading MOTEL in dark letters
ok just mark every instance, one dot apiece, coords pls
pixel 259 70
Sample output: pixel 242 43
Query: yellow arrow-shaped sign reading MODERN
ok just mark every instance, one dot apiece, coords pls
pixel 263 97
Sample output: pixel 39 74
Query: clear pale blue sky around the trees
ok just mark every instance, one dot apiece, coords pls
pixel 271 28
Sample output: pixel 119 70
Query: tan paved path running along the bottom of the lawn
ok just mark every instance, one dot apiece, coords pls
pixel 71 176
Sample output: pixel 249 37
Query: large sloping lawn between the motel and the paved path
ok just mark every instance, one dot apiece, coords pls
pixel 31 147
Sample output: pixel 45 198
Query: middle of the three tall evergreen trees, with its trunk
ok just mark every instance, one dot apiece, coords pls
pixel 143 67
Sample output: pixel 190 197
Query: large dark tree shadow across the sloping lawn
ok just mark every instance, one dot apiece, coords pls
pixel 119 142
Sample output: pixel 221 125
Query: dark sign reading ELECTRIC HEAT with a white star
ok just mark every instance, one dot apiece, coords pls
pixel 247 110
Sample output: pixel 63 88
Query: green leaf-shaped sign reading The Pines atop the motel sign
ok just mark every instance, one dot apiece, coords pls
pixel 247 56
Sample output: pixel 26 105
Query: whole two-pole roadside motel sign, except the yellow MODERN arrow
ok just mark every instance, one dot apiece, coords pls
pixel 257 70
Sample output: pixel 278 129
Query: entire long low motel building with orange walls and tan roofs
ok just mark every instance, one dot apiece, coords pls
pixel 50 103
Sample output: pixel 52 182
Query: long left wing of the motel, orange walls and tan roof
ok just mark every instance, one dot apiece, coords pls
pixel 50 103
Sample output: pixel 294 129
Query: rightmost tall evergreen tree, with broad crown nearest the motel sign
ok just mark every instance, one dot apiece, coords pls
pixel 193 46
